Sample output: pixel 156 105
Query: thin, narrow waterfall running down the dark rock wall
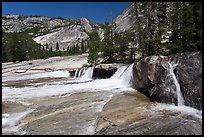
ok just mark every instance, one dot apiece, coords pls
pixel 180 98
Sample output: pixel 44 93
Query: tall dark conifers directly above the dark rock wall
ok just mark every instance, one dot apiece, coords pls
pixel 167 27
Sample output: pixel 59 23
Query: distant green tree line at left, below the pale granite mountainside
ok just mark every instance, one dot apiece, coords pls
pixel 19 46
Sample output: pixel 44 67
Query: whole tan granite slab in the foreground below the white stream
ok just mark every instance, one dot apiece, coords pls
pixel 129 112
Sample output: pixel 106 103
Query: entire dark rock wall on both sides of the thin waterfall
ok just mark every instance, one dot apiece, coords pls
pixel 151 76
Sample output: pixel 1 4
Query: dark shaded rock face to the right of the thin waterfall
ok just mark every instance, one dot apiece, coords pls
pixel 189 73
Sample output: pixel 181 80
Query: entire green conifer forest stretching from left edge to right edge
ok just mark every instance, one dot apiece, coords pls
pixel 160 28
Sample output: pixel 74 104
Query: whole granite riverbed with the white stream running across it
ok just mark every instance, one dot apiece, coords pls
pixel 41 98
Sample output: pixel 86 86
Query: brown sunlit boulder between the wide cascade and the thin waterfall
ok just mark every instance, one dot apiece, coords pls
pixel 150 76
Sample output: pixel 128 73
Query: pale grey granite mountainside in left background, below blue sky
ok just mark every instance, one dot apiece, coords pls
pixel 65 32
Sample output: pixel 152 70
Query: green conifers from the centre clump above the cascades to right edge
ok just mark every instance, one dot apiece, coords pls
pixel 160 28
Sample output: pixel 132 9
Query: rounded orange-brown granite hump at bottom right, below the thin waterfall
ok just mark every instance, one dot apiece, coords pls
pixel 133 114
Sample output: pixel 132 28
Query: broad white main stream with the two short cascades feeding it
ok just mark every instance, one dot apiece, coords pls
pixel 117 81
